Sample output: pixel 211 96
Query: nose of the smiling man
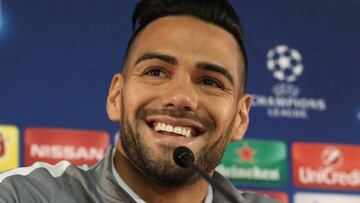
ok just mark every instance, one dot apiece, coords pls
pixel 180 95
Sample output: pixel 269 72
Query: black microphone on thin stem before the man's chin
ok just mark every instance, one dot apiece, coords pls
pixel 184 158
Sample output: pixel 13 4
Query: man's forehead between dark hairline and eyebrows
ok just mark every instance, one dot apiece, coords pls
pixel 190 40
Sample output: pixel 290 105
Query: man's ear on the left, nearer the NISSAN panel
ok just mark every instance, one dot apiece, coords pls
pixel 113 101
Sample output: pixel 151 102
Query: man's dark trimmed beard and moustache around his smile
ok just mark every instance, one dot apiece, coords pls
pixel 163 171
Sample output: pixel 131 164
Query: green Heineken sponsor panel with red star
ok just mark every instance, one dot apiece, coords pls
pixel 255 162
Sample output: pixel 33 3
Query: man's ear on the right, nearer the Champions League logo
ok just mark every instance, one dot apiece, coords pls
pixel 242 118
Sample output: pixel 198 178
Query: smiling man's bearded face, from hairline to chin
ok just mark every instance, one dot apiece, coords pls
pixel 182 88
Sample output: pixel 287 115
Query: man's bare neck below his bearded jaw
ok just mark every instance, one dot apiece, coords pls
pixel 151 192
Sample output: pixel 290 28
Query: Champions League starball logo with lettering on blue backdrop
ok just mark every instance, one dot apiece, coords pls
pixel 286 66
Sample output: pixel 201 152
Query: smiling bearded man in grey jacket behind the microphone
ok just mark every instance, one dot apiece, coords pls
pixel 183 84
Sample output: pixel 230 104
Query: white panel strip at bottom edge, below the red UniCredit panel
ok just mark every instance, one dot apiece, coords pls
pixel 304 197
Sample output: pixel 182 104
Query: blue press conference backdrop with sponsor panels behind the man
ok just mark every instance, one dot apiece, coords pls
pixel 57 59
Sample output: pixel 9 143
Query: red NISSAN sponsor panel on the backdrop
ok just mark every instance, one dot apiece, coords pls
pixel 53 145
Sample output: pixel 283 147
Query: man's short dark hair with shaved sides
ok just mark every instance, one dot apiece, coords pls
pixel 217 12
